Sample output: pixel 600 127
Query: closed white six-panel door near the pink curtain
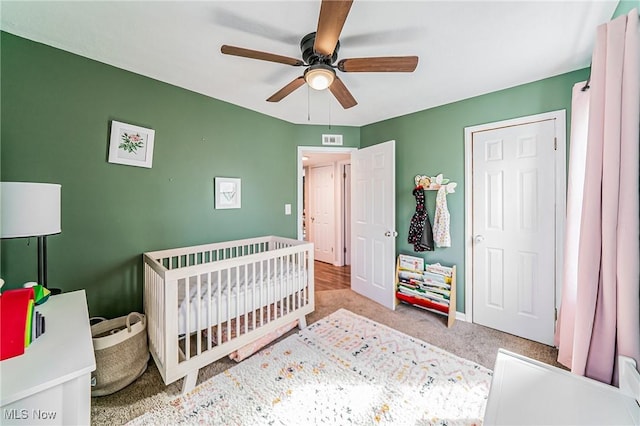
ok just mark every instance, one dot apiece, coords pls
pixel 514 234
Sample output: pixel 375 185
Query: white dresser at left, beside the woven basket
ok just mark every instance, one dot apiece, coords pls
pixel 51 382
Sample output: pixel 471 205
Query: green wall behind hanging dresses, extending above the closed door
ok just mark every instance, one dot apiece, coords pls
pixel 432 141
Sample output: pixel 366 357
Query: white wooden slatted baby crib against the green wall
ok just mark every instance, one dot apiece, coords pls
pixel 205 302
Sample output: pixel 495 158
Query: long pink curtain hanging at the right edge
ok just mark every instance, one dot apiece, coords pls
pixel 600 314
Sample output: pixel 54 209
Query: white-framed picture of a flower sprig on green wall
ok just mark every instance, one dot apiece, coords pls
pixel 131 145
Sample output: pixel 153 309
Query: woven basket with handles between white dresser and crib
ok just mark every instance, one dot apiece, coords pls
pixel 121 351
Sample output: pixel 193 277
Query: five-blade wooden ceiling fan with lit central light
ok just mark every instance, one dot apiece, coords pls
pixel 319 54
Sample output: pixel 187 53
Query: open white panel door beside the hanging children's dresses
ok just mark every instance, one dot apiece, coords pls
pixel 373 223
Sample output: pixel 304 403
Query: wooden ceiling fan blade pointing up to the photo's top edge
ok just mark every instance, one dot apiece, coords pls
pixel 333 13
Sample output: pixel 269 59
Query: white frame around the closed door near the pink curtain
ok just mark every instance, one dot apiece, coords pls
pixel 559 117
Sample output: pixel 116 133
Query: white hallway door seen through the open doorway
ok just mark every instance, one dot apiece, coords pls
pixel 322 212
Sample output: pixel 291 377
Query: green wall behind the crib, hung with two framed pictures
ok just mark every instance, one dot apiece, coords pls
pixel 56 113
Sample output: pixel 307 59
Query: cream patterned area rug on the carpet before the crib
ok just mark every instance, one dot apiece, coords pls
pixel 342 370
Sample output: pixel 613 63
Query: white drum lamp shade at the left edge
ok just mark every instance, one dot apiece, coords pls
pixel 29 209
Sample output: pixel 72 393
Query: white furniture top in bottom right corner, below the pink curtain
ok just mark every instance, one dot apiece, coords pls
pixel 528 392
